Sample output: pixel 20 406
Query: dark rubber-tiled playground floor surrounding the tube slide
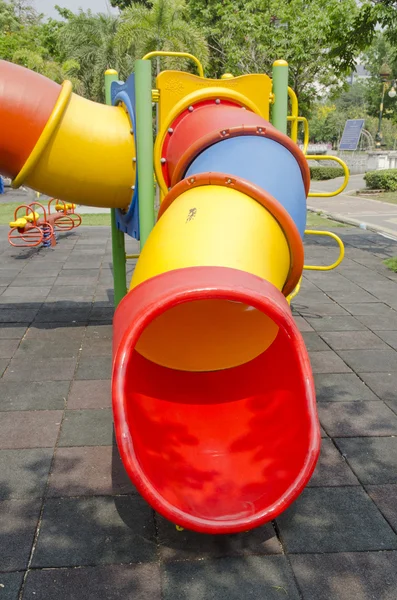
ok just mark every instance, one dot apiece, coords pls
pixel 67 503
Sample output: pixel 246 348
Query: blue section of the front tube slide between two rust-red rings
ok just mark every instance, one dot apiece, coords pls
pixel 261 161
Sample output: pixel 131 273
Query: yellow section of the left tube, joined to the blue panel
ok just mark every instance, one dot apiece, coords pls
pixel 87 157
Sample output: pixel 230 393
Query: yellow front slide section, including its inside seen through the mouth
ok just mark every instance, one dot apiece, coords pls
pixel 201 228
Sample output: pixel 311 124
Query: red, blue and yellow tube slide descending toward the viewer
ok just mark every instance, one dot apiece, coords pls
pixel 213 396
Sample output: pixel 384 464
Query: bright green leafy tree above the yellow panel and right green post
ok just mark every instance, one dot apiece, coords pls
pixel 248 35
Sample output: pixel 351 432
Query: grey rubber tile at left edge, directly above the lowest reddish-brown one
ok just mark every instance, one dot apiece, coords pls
pixel 36 395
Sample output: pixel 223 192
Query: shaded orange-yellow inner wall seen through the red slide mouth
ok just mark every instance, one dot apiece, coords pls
pixel 207 335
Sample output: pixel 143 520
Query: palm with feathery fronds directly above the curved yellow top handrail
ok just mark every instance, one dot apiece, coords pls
pixel 163 26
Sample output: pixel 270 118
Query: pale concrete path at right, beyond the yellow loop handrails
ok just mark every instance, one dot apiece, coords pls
pixel 348 206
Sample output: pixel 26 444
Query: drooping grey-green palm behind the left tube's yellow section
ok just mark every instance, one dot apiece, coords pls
pixel 91 40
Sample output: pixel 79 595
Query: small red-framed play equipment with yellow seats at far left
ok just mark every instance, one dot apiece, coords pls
pixel 31 228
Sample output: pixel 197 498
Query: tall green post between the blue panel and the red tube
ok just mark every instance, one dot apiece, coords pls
pixel 144 139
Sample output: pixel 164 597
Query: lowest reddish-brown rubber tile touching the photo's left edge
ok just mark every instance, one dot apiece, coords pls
pixel 29 429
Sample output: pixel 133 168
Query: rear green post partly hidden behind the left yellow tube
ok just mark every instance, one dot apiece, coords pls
pixel 118 242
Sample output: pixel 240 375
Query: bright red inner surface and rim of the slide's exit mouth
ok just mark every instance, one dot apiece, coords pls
pixel 219 451
